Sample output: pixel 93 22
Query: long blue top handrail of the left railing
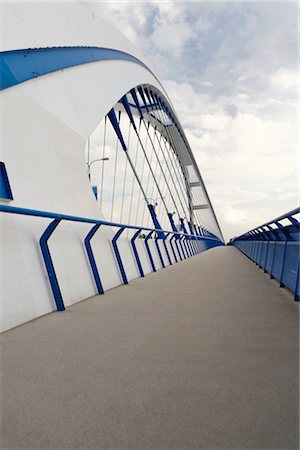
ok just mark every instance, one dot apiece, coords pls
pixel 51 215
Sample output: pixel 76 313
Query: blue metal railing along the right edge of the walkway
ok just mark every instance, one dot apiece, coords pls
pixel 274 247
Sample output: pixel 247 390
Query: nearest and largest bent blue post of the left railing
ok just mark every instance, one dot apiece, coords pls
pixel 49 264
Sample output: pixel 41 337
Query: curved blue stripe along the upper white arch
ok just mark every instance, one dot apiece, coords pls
pixel 17 66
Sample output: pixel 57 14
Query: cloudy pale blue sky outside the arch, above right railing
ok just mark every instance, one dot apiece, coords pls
pixel 231 71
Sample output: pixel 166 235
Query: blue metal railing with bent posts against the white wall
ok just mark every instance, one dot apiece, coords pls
pixel 186 245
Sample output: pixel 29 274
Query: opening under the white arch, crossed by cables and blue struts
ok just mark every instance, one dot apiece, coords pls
pixel 155 179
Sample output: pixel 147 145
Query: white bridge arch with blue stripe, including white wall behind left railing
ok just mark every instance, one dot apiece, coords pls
pixel 78 99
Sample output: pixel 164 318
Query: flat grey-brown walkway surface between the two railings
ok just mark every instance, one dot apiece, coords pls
pixel 203 355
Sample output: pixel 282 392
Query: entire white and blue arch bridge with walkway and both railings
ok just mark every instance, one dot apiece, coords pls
pixel 127 322
